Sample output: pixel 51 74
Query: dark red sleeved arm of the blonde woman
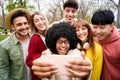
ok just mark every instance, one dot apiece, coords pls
pixel 36 47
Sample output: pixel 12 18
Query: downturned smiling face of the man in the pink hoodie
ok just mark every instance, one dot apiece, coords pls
pixel 102 31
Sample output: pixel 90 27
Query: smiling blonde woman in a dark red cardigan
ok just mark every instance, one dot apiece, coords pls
pixel 38 28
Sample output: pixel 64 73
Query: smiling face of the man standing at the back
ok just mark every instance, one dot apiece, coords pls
pixel 69 14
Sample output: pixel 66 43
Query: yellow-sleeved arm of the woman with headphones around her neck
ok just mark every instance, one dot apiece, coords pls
pixel 97 63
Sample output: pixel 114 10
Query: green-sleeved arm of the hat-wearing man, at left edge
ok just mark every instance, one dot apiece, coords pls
pixel 4 64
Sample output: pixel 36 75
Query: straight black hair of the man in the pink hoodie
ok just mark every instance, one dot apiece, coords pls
pixel 102 17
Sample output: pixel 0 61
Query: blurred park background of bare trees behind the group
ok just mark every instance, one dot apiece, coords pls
pixel 53 10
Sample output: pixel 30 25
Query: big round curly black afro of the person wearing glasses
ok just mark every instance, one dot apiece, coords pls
pixel 58 30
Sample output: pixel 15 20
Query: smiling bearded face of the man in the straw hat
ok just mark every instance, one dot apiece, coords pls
pixel 21 27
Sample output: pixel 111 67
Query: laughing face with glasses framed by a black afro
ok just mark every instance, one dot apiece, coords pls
pixel 62 46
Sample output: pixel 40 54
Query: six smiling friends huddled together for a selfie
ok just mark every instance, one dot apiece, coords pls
pixel 98 45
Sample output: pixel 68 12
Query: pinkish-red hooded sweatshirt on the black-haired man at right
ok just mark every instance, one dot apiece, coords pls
pixel 111 62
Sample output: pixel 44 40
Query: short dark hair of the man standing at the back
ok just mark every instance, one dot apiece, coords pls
pixel 71 3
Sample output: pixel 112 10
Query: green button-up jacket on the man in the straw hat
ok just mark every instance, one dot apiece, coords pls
pixel 12 65
